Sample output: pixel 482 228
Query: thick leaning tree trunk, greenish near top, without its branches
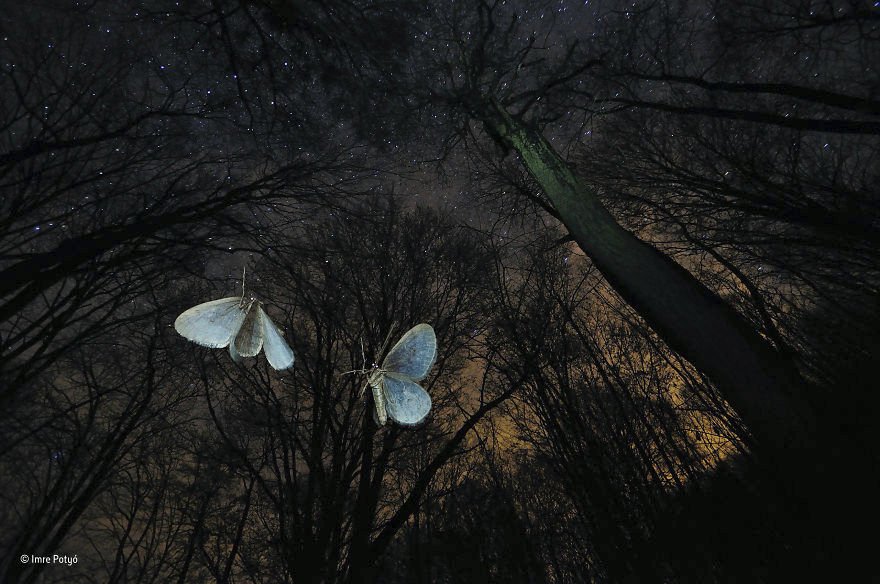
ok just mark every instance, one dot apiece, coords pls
pixel 760 384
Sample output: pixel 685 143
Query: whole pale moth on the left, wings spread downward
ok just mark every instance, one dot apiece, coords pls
pixel 238 322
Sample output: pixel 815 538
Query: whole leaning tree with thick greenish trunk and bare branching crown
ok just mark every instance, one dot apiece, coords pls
pixel 489 63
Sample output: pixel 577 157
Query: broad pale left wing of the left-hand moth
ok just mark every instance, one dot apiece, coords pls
pixel 212 324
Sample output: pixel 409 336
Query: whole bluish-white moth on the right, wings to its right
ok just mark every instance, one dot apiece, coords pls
pixel 395 391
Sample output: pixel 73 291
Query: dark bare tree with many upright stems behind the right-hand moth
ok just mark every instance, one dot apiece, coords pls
pixel 331 491
